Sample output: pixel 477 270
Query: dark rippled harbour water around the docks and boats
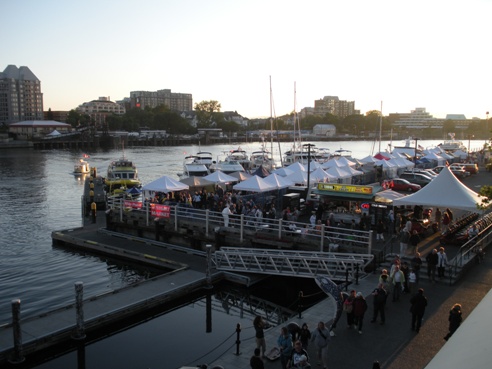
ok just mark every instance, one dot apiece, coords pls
pixel 39 194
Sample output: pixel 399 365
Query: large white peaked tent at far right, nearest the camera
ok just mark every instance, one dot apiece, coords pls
pixel 445 191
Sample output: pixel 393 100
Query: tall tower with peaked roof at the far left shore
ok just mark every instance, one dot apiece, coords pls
pixel 20 95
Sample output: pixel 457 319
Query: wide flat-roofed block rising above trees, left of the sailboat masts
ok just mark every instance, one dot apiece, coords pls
pixel 152 99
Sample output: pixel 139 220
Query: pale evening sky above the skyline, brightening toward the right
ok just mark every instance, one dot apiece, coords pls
pixel 398 54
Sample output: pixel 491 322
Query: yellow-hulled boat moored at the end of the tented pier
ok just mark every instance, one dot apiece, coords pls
pixel 122 173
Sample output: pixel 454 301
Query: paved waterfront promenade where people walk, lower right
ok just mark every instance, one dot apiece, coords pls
pixel 394 344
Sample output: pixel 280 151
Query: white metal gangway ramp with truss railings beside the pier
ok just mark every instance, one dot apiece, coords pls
pixel 334 265
